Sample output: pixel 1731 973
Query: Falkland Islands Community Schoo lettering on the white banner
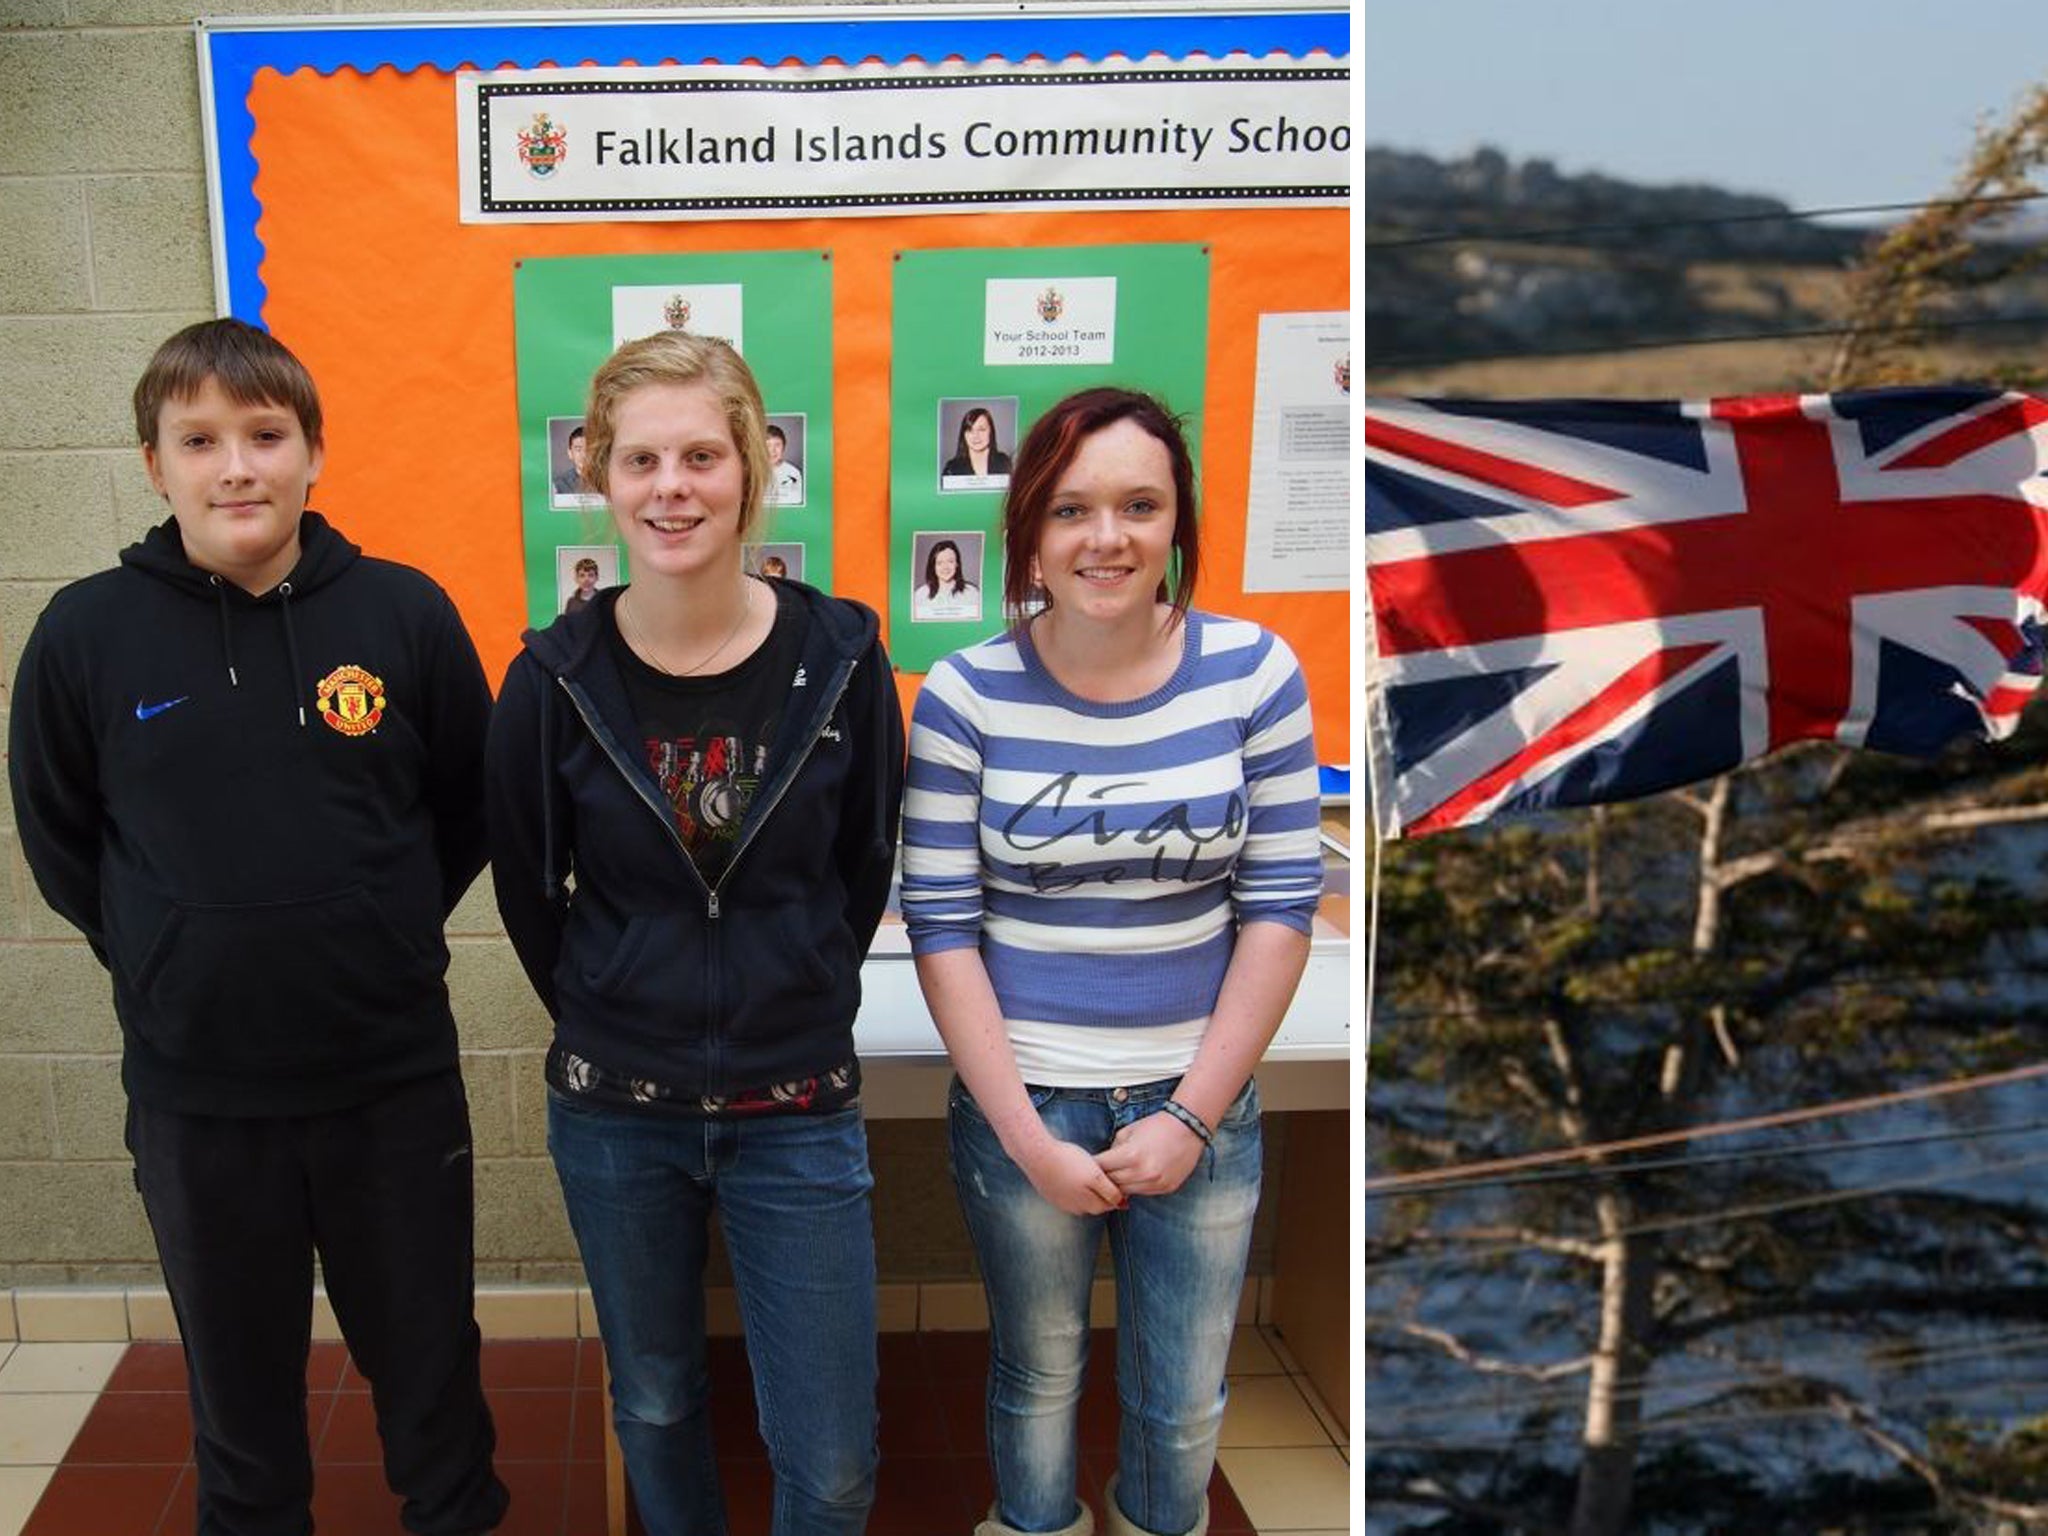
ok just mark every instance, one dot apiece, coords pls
pixel 980 142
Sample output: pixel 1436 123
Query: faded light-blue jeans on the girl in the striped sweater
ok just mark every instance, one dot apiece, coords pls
pixel 1181 1267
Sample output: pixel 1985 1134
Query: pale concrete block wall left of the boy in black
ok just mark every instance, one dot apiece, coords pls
pixel 105 212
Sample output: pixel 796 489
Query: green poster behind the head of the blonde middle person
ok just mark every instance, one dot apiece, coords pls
pixel 570 312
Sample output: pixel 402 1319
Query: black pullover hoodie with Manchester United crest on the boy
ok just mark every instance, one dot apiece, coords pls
pixel 259 810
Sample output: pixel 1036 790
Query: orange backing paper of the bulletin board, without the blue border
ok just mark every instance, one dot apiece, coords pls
pixel 404 314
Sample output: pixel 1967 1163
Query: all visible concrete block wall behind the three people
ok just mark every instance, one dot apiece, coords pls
pixel 103 208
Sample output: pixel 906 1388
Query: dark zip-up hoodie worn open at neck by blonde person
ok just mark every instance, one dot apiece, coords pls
pixel 646 968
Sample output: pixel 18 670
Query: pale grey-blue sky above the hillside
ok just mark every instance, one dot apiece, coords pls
pixel 1820 103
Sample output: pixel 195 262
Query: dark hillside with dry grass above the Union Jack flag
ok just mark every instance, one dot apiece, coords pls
pixel 1480 267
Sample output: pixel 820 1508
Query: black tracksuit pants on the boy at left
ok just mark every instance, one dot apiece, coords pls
pixel 384 1193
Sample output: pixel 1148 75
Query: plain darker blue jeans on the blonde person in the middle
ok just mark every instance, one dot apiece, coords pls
pixel 794 1197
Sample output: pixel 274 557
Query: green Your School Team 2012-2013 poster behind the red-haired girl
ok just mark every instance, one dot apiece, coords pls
pixel 984 343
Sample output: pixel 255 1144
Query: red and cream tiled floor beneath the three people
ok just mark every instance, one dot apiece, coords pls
pixel 95 1441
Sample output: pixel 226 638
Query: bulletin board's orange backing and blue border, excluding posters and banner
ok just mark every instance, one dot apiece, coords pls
pixel 337 224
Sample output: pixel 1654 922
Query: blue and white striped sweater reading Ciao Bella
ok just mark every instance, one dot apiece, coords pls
pixel 1103 855
